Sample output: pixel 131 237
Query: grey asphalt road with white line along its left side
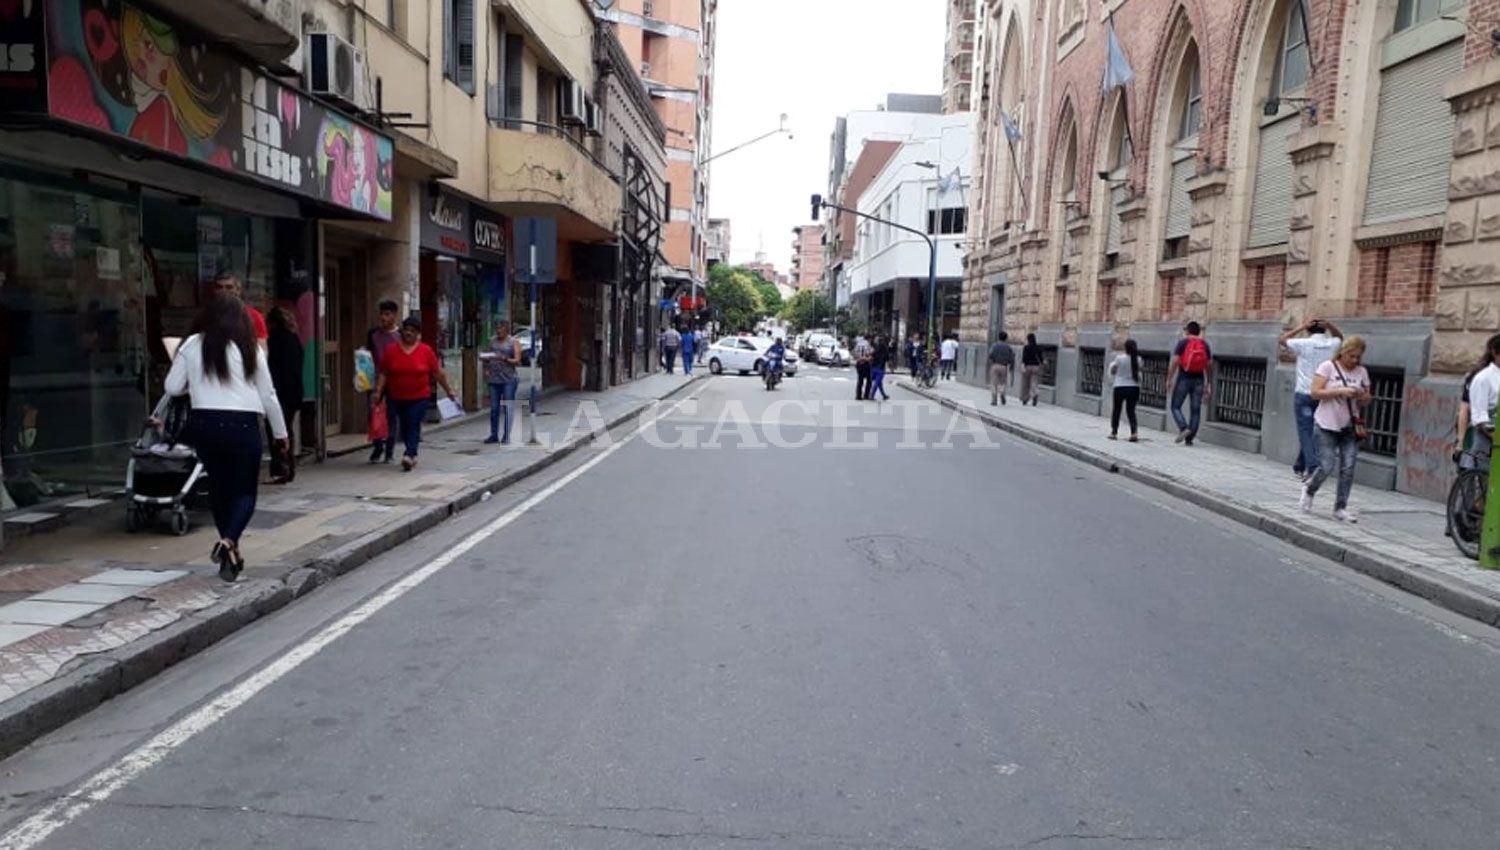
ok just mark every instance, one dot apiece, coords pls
pixel 895 645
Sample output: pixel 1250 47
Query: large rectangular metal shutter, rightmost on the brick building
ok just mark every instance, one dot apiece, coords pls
pixel 1414 139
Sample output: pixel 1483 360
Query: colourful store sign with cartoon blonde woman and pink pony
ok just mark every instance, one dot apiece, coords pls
pixel 119 70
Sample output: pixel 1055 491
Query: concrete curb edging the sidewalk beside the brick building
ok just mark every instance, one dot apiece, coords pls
pixel 1439 590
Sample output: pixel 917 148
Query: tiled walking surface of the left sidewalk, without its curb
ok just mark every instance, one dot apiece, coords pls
pixel 89 588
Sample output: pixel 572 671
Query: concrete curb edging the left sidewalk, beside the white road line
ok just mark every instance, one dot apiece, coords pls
pixel 107 675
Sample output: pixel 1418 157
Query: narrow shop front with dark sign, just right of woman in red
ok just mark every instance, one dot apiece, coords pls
pixel 464 284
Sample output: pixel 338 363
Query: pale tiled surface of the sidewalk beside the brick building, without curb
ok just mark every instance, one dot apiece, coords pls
pixel 1396 527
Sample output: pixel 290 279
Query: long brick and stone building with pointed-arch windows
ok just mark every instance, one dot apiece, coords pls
pixel 1271 160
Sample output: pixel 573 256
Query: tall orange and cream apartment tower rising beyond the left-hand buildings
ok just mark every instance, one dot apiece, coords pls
pixel 674 44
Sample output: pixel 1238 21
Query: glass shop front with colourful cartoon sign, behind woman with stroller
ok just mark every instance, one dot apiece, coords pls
pixel 122 197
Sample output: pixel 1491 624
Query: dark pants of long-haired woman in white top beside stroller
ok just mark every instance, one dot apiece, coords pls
pixel 229 443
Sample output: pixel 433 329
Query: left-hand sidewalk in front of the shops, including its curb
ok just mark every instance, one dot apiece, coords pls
pixel 89 611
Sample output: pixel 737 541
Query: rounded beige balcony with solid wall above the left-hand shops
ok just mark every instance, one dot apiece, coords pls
pixel 539 170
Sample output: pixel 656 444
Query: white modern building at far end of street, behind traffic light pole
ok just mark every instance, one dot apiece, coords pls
pixel 923 187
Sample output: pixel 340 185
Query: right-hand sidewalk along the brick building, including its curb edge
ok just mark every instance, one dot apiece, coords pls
pixel 1399 540
